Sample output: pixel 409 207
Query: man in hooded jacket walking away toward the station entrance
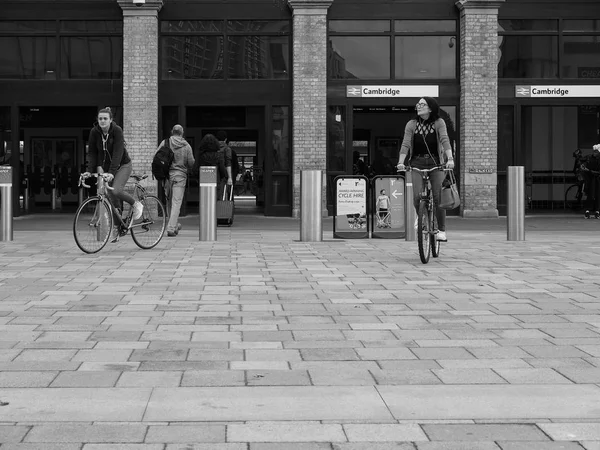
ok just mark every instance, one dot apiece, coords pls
pixel 183 162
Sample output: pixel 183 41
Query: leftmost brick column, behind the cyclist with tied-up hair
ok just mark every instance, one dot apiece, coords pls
pixel 140 82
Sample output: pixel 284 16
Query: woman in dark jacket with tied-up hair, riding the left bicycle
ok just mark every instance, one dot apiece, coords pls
pixel 107 154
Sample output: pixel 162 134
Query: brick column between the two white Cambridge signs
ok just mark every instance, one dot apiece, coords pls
pixel 479 106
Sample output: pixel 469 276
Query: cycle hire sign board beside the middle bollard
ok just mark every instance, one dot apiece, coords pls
pixel 350 220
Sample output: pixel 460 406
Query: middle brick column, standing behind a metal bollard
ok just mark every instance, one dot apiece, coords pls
pixel 309 135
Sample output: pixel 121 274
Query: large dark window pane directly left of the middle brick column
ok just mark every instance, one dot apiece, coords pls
pixel 258 57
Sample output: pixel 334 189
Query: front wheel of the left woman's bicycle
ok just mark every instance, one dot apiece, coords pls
pixel 92 225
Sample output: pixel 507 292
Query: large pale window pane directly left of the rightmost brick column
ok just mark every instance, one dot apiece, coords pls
pixel 436 57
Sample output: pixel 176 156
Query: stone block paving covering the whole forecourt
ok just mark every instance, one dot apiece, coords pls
pixel 261 342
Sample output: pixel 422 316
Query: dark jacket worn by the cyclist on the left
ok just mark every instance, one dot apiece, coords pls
pixel 113 156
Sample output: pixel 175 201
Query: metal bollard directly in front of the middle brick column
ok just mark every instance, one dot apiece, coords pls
pixel 311 215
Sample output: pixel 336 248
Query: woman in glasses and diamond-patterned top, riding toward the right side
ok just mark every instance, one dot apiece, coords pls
pixel 426 143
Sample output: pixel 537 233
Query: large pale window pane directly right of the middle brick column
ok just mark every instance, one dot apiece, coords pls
pixel 365 57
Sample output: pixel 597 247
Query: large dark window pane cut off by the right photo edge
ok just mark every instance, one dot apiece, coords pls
pixel 581 56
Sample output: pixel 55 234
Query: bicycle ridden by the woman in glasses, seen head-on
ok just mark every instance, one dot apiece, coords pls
pixel 427 226
